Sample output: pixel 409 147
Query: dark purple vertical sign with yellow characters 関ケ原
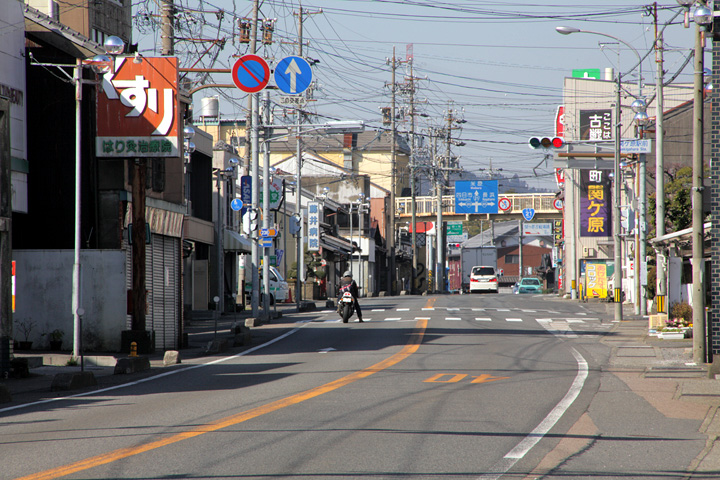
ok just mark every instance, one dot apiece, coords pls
pixel 595 212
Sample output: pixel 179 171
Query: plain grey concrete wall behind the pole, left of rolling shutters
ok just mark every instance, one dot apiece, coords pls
pixel 43 295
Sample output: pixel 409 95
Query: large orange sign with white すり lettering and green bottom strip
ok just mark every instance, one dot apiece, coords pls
pixel 138 109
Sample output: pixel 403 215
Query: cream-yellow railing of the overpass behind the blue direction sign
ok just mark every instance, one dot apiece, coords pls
pixel 424 206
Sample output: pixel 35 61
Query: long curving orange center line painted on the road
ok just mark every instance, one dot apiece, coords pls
pixel 109 457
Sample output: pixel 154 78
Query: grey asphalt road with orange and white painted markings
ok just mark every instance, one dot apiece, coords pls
pixel 452 387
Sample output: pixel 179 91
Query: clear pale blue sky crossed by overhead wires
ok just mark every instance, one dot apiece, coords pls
pixel 498 65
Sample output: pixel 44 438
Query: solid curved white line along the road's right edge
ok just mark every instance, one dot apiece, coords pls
pixel 526 444
